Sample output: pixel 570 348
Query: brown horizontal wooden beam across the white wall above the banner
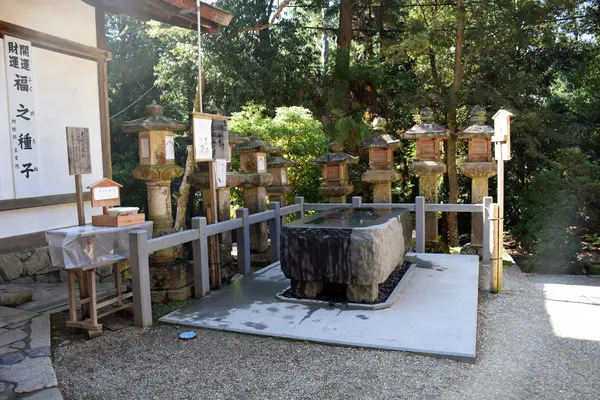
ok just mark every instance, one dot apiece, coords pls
pixel 54 43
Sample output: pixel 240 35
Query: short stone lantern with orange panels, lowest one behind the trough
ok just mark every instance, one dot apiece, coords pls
pixel 335 173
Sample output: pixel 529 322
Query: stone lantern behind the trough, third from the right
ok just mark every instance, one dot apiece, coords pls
pixel 381 171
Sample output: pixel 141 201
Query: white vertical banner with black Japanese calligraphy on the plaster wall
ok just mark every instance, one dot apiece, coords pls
pixel 21 102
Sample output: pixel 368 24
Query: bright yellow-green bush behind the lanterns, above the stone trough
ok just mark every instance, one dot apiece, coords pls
pixel 299 134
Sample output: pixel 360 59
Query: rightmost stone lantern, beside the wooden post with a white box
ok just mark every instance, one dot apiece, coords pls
pixel 479 166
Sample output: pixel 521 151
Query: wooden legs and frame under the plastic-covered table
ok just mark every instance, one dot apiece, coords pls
pixel 88 298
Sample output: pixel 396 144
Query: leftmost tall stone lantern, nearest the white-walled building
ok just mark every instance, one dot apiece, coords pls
pixel 157 168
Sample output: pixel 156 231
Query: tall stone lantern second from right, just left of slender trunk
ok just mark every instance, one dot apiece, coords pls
pixel 429 167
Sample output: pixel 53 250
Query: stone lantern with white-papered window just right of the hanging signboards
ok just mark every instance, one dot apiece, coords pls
pixel 253 164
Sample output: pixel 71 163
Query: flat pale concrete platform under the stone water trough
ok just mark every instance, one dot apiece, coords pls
pixel 436 312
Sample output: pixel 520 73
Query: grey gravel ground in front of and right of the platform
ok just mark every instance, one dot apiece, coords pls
pixel 519 357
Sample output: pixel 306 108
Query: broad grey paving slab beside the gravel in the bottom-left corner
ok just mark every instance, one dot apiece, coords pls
pixel 30 374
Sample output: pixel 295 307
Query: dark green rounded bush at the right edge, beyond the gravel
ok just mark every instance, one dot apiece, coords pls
pixel 561 200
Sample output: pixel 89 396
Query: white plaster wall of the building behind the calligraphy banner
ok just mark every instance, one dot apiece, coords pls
pixel 66 94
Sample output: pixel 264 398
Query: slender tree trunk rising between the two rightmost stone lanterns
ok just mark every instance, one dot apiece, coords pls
pixel 453 124
